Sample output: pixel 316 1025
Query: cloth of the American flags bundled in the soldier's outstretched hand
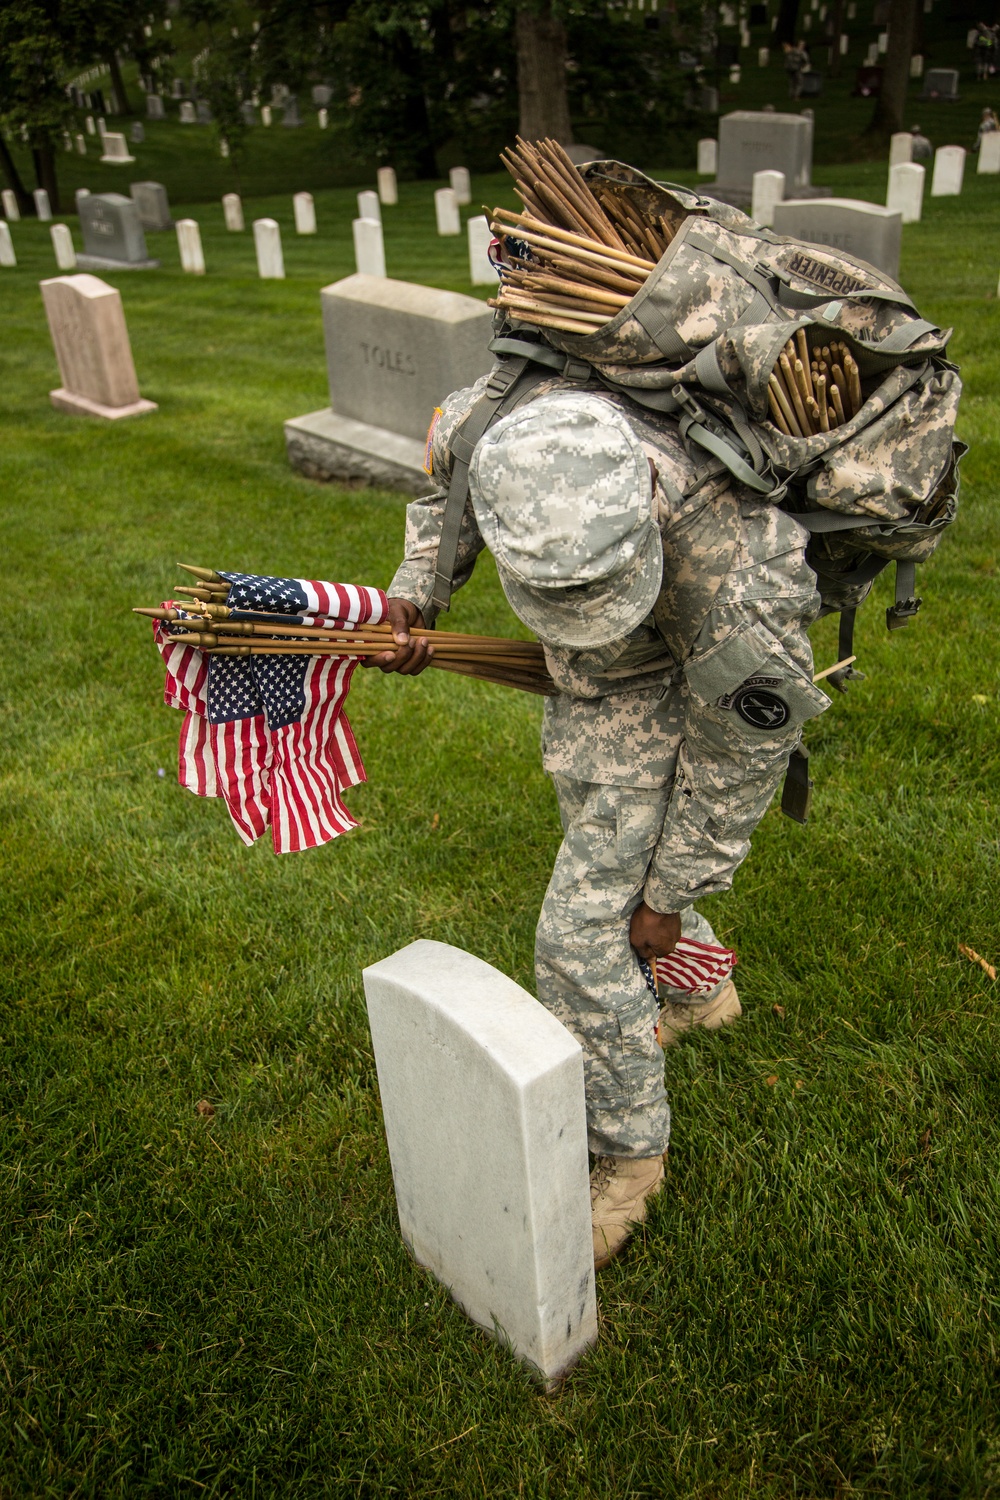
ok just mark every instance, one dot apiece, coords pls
pixel 269 734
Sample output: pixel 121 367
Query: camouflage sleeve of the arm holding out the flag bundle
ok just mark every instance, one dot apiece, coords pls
pixel 425 518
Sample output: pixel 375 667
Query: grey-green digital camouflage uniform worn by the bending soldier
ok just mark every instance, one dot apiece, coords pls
pixel 665 748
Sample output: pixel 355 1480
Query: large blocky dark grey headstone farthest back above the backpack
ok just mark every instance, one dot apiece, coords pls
pixel 752 142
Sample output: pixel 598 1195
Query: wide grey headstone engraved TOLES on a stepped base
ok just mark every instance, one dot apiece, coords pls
pixel 394 353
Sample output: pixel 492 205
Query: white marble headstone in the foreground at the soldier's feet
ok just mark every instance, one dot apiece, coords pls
pixel 484 1103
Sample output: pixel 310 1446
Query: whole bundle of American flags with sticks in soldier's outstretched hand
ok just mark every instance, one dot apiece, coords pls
pixel 265 725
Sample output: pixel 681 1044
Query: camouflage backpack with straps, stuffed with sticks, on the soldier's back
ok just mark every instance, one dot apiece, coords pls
pixel 699 343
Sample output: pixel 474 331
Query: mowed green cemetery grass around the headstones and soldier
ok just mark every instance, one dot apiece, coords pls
pixel 221 1306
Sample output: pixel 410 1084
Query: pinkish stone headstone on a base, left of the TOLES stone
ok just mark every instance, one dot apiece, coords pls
pixel 92 347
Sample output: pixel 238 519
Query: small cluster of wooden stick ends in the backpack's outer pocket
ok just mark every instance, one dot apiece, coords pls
pixel 813 394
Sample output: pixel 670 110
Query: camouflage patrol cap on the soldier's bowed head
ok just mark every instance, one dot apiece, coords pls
pixel 563 496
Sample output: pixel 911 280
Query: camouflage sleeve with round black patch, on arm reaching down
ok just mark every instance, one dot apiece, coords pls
pixel 749 692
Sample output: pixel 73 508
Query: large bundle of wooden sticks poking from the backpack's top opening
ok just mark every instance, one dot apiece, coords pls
pixel 575 257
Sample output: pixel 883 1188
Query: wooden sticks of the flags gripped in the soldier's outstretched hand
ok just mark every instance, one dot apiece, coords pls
pixel 206 622
